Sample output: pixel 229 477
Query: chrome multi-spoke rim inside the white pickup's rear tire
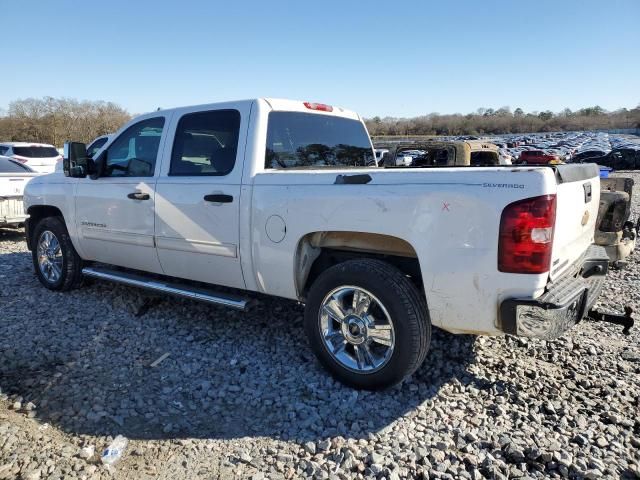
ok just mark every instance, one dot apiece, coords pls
pixel 356 329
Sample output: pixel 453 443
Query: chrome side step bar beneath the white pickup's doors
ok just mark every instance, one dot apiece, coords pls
pixel 178 289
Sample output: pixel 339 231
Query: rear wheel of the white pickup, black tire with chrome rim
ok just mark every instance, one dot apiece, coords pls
pixel 367 324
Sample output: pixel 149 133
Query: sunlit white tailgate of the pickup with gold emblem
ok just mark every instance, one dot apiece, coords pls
pixel 578 198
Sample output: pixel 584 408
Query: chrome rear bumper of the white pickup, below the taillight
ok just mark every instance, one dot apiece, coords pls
pixel 564 303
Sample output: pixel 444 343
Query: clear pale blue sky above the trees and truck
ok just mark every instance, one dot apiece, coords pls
pixel 394 58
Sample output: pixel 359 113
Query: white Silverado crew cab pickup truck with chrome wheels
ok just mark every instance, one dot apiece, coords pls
pixel 276 197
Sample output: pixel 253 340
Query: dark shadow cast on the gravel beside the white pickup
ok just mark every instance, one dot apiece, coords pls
pixel 84 358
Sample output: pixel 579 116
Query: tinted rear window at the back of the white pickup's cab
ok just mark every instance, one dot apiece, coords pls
pixel 306 140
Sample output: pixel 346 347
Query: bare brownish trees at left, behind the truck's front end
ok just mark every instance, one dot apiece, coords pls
pixel 55 120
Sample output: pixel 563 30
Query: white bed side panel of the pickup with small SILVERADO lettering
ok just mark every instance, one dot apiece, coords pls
pixel 450 216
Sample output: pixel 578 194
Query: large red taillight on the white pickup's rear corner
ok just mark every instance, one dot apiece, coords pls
pixel 526 235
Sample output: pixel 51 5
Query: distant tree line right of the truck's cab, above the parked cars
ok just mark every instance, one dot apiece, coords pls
pixel 503 120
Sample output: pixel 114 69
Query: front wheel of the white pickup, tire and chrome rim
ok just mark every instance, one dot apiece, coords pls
pixel 56 263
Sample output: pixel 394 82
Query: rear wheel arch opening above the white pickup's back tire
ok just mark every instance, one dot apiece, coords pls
pixel 317 251
